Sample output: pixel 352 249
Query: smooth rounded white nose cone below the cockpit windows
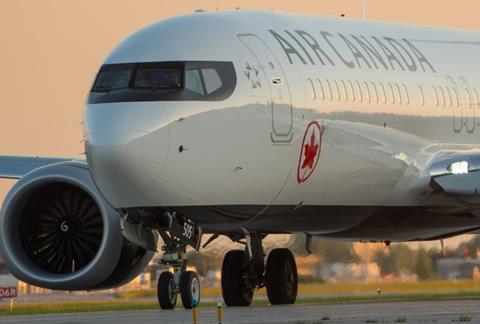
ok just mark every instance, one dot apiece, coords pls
pixel 127 145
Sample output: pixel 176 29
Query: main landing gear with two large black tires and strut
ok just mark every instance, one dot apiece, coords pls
pixel 245 271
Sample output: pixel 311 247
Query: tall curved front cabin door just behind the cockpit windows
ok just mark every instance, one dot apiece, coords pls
pixel 280 98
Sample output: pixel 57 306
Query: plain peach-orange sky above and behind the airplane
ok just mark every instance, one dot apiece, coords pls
pixel 51 50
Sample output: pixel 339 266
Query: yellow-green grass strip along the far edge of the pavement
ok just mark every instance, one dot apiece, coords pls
pixel 313 294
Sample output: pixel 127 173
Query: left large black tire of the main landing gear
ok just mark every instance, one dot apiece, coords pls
pixel 234 290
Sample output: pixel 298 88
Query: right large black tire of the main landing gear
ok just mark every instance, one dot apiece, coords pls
pixel 281 278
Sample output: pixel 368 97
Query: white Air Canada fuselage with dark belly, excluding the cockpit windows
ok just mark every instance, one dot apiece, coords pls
pixel 387 99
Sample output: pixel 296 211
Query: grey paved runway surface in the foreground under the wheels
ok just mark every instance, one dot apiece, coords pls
pixel 380 312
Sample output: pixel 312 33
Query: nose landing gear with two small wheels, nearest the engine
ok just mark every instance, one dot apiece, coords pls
pixel 180 281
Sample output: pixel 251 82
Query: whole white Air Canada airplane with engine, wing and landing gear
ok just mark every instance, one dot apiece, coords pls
pixel 248 123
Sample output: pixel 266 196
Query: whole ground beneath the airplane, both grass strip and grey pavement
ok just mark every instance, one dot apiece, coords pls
pixel 431 301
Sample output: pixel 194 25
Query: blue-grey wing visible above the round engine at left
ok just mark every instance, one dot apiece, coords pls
pixel 15 167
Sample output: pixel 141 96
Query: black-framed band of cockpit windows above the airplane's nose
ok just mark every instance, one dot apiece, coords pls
pixel 164 81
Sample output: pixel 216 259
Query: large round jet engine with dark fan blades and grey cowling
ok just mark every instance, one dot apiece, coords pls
pixel 58 232
